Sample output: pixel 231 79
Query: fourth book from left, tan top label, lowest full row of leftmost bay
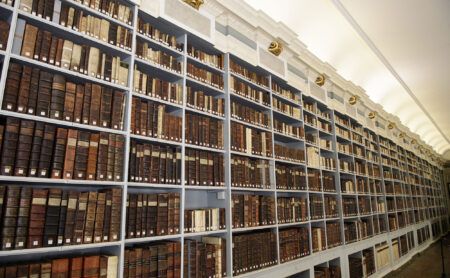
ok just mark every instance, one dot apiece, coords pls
pixel 52 217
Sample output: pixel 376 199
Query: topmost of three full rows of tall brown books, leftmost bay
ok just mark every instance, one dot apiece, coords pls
pixel 37 92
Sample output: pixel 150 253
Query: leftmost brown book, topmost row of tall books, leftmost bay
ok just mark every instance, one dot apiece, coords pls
pixel 12 86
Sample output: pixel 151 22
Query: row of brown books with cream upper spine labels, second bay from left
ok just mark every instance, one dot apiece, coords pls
pixel 152 163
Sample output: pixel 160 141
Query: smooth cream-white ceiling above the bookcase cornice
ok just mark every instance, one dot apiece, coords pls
pixel 398 51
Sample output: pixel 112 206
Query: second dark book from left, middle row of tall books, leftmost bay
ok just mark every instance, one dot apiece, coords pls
pixel 24 146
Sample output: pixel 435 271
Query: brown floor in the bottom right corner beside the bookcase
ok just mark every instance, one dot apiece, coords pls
pixel 427 264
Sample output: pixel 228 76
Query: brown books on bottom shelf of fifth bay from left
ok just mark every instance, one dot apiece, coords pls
pixel 294 243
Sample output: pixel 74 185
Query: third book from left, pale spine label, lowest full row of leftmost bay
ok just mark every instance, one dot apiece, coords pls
pixel 37 218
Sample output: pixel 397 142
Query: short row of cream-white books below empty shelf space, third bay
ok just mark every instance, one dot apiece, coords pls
pixel 201 220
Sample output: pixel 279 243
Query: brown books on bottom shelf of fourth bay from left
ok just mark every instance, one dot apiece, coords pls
pixel 253 251
